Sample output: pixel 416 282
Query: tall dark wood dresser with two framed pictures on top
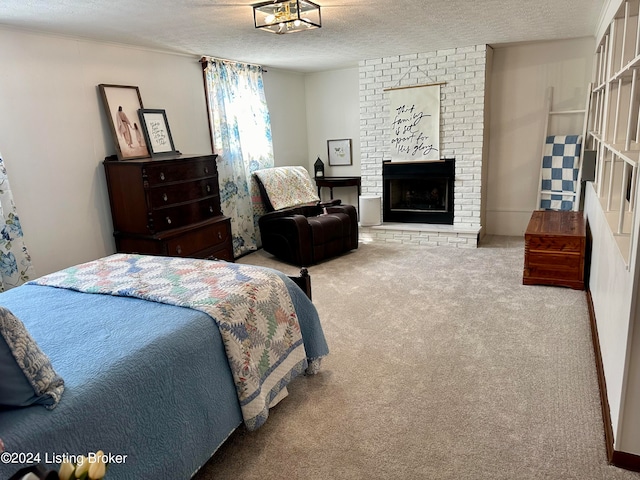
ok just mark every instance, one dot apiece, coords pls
pixel 168 206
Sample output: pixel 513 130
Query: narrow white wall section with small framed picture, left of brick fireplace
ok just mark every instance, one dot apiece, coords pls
pixel 333 112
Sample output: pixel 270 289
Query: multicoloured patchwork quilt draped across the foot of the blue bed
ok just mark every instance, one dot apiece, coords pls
pixel 251 306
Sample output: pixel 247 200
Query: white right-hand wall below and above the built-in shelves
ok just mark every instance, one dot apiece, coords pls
pixel 616 295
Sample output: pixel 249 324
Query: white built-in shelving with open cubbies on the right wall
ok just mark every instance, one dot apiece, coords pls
pixel 614 121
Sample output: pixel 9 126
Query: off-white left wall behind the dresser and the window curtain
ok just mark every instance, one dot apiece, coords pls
pixel 54 134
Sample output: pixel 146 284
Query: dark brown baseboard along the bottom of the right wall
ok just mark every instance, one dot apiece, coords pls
pixel 625 460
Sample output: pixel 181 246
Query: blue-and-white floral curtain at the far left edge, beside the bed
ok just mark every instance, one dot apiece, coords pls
pixel 15 262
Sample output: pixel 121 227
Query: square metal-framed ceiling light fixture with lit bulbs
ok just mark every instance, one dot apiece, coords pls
pixel 286 16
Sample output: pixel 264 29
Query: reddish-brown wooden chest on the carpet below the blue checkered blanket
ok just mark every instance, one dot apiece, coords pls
pixel 554 249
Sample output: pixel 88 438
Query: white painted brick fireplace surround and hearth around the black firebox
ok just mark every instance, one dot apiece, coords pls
pixel 463 136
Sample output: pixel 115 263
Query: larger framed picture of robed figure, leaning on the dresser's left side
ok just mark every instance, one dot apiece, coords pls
pixel 121 104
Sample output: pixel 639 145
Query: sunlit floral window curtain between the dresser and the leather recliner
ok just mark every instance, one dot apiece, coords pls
pixel 241 132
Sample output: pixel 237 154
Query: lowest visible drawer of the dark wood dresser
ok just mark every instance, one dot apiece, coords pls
pixel 208 238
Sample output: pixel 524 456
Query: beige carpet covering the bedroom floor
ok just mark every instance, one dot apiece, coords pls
pixel 442 366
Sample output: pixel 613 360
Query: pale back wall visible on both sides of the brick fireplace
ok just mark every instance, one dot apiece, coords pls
pixel 518 79
